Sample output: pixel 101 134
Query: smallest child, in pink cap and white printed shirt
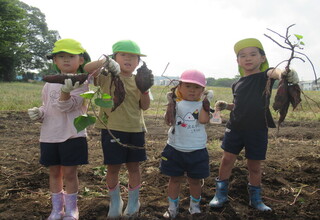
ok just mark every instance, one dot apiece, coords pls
pixel 186 151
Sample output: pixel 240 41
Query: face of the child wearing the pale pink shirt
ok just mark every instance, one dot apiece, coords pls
pixel 68 63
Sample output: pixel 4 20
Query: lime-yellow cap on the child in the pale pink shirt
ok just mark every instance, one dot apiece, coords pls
pixel 69 46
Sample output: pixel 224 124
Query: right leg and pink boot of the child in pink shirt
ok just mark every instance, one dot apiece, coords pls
pixel 71 196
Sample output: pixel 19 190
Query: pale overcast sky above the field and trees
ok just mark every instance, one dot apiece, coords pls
pixel 198 34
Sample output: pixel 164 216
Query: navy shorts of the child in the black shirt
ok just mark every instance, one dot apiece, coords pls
pixel 255 143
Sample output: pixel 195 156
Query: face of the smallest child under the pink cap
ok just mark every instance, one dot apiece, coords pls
pixel 190 91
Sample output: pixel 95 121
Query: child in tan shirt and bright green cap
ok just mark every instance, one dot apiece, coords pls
pixel 126 123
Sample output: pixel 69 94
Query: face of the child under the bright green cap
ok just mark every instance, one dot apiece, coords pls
pixel 128 62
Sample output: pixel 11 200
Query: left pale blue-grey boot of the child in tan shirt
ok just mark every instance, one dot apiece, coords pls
pixel 116 203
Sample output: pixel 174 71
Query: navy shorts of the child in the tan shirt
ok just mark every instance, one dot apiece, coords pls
pixel 116 154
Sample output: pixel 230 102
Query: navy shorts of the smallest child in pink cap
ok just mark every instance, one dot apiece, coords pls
pixel 176 163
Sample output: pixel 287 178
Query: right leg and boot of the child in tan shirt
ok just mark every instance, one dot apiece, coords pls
pixel 133 188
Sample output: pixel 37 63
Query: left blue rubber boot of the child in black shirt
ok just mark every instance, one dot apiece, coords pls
pixel 221 195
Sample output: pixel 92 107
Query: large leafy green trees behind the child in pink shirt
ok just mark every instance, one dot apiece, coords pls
pixel 24 39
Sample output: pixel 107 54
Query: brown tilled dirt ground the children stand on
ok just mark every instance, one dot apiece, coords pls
pixel 291 178
